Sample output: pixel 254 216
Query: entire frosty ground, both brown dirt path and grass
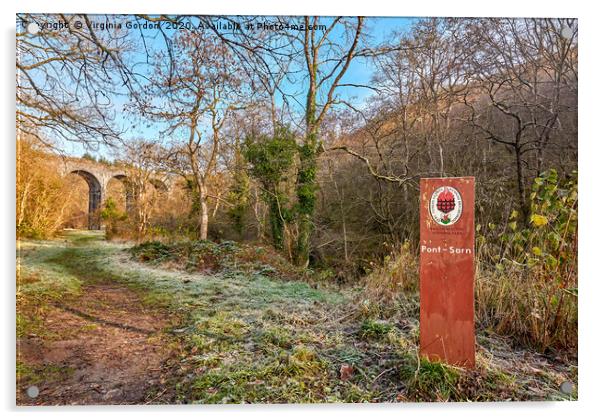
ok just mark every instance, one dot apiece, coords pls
pixel 97 326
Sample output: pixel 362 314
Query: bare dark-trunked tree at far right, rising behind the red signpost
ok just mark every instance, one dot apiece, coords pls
pixel 521 72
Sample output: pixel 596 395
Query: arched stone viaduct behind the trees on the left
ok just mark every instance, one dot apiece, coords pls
pixel 97 176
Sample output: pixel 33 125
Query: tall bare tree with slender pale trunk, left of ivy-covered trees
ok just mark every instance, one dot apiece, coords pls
pixel 196 94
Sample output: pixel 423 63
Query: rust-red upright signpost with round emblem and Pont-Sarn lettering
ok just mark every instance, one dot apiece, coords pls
pixel 447 270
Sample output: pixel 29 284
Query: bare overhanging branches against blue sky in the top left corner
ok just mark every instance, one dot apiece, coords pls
pixel 69 75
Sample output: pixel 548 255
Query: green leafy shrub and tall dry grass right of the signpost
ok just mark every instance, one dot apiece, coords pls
pixel 528 287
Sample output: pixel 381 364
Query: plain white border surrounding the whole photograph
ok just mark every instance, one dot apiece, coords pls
pixel 590 139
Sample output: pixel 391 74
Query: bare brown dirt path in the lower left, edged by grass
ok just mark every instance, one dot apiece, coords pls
pixel 103 347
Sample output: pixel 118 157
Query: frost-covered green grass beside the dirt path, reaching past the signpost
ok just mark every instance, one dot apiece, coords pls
pixel 248 336
